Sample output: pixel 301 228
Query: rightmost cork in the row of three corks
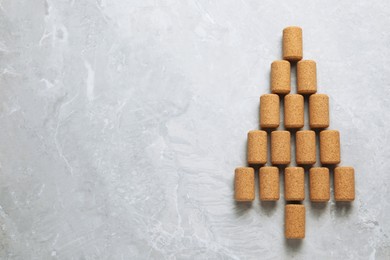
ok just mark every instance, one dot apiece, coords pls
pixel 319 111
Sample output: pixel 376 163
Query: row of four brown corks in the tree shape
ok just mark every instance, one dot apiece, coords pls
pixel 305 147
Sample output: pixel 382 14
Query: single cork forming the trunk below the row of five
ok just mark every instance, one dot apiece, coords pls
pixel 294 221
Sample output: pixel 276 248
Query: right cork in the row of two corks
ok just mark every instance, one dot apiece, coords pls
pixel 306 77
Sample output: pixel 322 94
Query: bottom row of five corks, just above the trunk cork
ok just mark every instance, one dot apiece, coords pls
pixel 294 184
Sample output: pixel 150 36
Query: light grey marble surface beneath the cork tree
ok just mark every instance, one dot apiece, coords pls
pixel 121 123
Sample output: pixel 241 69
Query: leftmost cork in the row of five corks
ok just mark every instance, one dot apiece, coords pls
pixel 244 184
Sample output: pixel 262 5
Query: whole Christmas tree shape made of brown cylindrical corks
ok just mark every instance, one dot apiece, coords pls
pixel 305 142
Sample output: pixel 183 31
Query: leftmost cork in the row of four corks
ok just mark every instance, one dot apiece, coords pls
pixel 257 147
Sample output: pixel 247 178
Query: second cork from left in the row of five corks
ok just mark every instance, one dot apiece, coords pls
pixel 269 183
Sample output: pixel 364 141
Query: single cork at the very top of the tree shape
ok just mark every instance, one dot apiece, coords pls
pixel 292 43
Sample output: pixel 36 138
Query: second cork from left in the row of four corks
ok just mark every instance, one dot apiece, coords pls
pixel 280 147
